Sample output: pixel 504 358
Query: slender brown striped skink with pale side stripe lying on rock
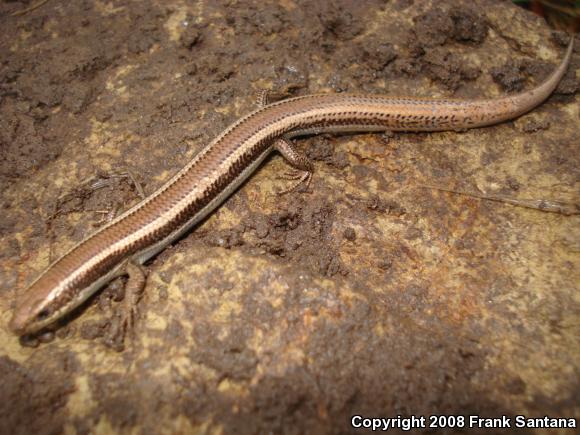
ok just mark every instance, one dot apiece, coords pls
pixel 218 169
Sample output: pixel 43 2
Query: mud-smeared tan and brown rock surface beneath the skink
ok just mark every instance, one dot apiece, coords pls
pixel 372 293
